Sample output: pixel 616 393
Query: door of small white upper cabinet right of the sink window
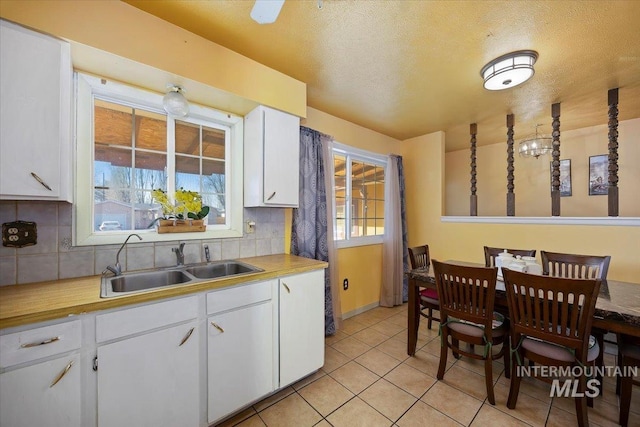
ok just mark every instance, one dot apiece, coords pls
pixel 281 158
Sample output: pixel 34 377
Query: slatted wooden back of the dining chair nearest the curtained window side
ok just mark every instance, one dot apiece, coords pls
pixel 466 293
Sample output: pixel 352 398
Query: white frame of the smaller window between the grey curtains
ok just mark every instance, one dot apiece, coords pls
pixel 352 153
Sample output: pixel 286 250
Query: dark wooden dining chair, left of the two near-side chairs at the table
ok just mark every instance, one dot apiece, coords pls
pixel 467 296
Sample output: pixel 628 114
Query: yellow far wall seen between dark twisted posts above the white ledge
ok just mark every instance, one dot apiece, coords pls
pixel 533 181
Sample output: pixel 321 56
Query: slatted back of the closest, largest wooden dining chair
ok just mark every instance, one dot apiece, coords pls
pixel 554 309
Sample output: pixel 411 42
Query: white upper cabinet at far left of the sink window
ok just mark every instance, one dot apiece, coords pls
pixel 35 115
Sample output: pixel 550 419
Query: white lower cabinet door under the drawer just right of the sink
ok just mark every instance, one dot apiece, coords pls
pixel 240 358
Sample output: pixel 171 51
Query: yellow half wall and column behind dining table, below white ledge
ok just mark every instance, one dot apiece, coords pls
pixel 425 184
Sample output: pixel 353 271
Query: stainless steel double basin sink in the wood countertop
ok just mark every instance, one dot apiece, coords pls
pixel 137 282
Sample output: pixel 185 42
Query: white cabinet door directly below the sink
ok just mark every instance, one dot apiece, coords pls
pixel 150 380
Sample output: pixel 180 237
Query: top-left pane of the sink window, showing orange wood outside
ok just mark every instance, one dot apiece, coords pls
pixel 112 124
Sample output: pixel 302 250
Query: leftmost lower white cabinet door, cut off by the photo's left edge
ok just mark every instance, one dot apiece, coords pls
pixel 29 397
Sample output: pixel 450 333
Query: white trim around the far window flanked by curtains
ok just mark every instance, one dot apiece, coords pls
pixel 367 156
